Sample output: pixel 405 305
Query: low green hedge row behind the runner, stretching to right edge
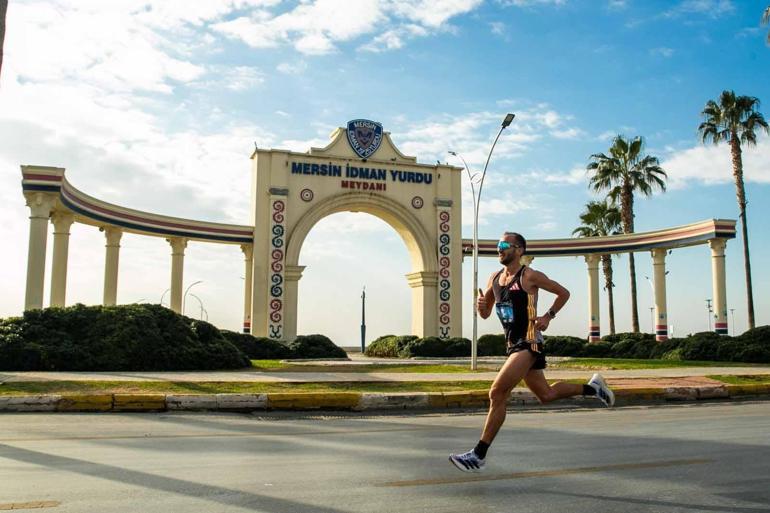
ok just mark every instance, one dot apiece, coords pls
pixel 752 346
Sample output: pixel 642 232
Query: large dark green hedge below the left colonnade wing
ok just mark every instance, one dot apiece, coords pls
pixel 138 337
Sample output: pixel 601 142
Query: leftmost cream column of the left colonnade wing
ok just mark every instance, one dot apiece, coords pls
pixel 40 206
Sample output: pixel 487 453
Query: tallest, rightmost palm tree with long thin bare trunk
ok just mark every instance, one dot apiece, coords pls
pixel 734 120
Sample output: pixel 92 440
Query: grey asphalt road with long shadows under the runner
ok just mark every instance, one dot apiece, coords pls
pixel 699 457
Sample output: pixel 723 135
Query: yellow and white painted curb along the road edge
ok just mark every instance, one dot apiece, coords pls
pixel 348 401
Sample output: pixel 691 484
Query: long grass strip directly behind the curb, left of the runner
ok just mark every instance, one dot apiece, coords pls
pixel 220 387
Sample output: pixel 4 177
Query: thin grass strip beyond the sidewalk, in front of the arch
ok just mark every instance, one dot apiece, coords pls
pixel 278 366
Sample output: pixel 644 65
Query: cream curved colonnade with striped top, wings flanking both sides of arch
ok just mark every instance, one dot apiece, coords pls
pixel 52 199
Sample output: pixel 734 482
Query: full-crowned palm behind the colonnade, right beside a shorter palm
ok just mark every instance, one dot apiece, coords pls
pixel 623 173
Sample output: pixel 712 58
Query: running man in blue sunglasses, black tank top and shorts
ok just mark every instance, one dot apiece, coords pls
pixel 513 292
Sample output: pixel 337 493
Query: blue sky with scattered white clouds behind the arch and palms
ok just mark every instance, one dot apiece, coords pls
pixel 156 105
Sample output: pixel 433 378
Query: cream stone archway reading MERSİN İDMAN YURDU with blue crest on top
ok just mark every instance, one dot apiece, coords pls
pixel 292 191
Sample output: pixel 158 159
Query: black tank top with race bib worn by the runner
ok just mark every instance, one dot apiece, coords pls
pixel 515 308
